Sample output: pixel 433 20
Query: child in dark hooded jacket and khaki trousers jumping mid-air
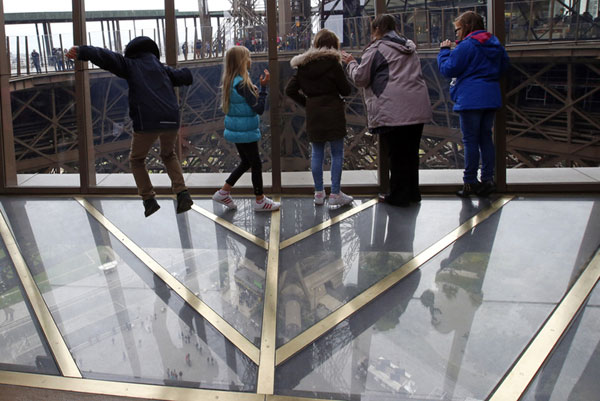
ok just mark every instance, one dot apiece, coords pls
pixel 153 108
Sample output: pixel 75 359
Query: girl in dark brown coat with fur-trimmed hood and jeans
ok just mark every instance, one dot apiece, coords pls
pixel 318 86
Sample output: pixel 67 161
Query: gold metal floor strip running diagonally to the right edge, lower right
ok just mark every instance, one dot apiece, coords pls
pixel 532 359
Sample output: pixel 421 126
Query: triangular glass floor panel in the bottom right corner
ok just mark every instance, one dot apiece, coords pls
pixel 571 373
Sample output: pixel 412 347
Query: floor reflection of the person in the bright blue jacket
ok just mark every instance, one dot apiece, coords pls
pixel 457 294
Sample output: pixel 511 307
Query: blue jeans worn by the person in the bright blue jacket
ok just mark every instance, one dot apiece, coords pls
pixel 476 127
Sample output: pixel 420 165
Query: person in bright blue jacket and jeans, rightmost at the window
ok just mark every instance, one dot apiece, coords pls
pixel 475 66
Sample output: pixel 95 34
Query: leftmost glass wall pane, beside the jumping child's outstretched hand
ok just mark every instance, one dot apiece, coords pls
pixel 43 104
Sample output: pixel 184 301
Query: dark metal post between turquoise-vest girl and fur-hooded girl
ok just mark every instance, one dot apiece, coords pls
pixel 274 95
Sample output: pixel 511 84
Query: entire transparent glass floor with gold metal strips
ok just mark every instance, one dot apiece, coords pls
pixel 449 299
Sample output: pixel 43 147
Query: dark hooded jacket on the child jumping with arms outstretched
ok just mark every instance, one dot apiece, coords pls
pixel 152 101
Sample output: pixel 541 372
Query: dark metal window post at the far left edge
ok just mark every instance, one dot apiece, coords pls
pixel 7 150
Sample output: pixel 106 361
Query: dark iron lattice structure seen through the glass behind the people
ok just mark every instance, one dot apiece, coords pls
pixel 552 121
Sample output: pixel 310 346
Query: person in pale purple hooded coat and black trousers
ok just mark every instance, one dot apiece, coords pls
pixel 398 104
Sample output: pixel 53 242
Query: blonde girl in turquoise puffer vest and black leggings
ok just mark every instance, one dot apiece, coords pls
pixel 242 104
